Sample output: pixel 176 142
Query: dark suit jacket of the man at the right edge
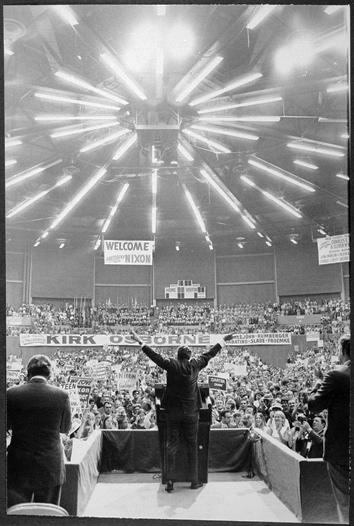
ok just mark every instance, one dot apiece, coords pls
pixel 333 395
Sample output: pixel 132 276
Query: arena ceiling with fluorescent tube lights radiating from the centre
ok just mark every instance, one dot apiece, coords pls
pixel 66 90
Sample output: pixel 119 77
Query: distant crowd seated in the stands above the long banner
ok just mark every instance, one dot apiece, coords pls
pixel 179 317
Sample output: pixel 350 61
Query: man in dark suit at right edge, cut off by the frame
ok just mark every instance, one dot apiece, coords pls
pixel 333 394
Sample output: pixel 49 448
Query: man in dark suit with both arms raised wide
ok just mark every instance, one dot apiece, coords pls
pixel 182 402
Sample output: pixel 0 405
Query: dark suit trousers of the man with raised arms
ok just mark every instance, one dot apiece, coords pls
pixel 182 426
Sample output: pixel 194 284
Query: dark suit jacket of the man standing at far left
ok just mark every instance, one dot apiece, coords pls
pixel 37 413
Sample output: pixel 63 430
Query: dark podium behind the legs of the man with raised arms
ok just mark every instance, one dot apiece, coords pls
pixel 203 437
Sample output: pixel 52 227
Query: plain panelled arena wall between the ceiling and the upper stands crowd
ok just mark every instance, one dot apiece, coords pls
pixel 243 278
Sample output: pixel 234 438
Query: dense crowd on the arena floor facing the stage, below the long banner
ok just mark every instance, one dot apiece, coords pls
pixel 266 397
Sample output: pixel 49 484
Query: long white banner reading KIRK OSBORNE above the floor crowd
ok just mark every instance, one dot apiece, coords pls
pixel 158 340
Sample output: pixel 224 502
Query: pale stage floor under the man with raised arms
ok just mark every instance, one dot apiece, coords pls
pixel 227 496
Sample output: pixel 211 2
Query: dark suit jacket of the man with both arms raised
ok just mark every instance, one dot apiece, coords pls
pixel 182 378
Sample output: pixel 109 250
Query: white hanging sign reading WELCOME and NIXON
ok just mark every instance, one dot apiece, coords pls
pixel 123 252
